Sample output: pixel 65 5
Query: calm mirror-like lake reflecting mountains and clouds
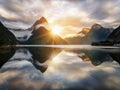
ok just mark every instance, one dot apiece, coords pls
pixel 60 67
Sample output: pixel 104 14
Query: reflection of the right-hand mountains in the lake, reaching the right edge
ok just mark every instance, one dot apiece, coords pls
pixel 98 56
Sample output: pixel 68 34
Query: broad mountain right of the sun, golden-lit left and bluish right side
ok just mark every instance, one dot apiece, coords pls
pixel 87 36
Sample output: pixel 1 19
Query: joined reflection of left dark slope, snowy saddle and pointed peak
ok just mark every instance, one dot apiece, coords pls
pixel 39 55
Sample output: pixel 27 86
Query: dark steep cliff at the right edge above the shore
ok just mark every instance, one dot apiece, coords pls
pixel 115 35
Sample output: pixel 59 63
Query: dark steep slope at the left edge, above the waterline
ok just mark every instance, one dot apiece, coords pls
pixel 6 37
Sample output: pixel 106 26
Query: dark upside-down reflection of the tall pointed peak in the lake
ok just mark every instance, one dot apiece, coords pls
pixel 41 55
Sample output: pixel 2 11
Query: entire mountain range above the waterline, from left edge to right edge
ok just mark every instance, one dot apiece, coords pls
pixel 39 33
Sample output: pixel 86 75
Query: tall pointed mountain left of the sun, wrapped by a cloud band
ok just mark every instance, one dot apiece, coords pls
pixel 41 34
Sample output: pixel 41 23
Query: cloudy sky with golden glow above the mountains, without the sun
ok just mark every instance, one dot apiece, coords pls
pixel 70 15
